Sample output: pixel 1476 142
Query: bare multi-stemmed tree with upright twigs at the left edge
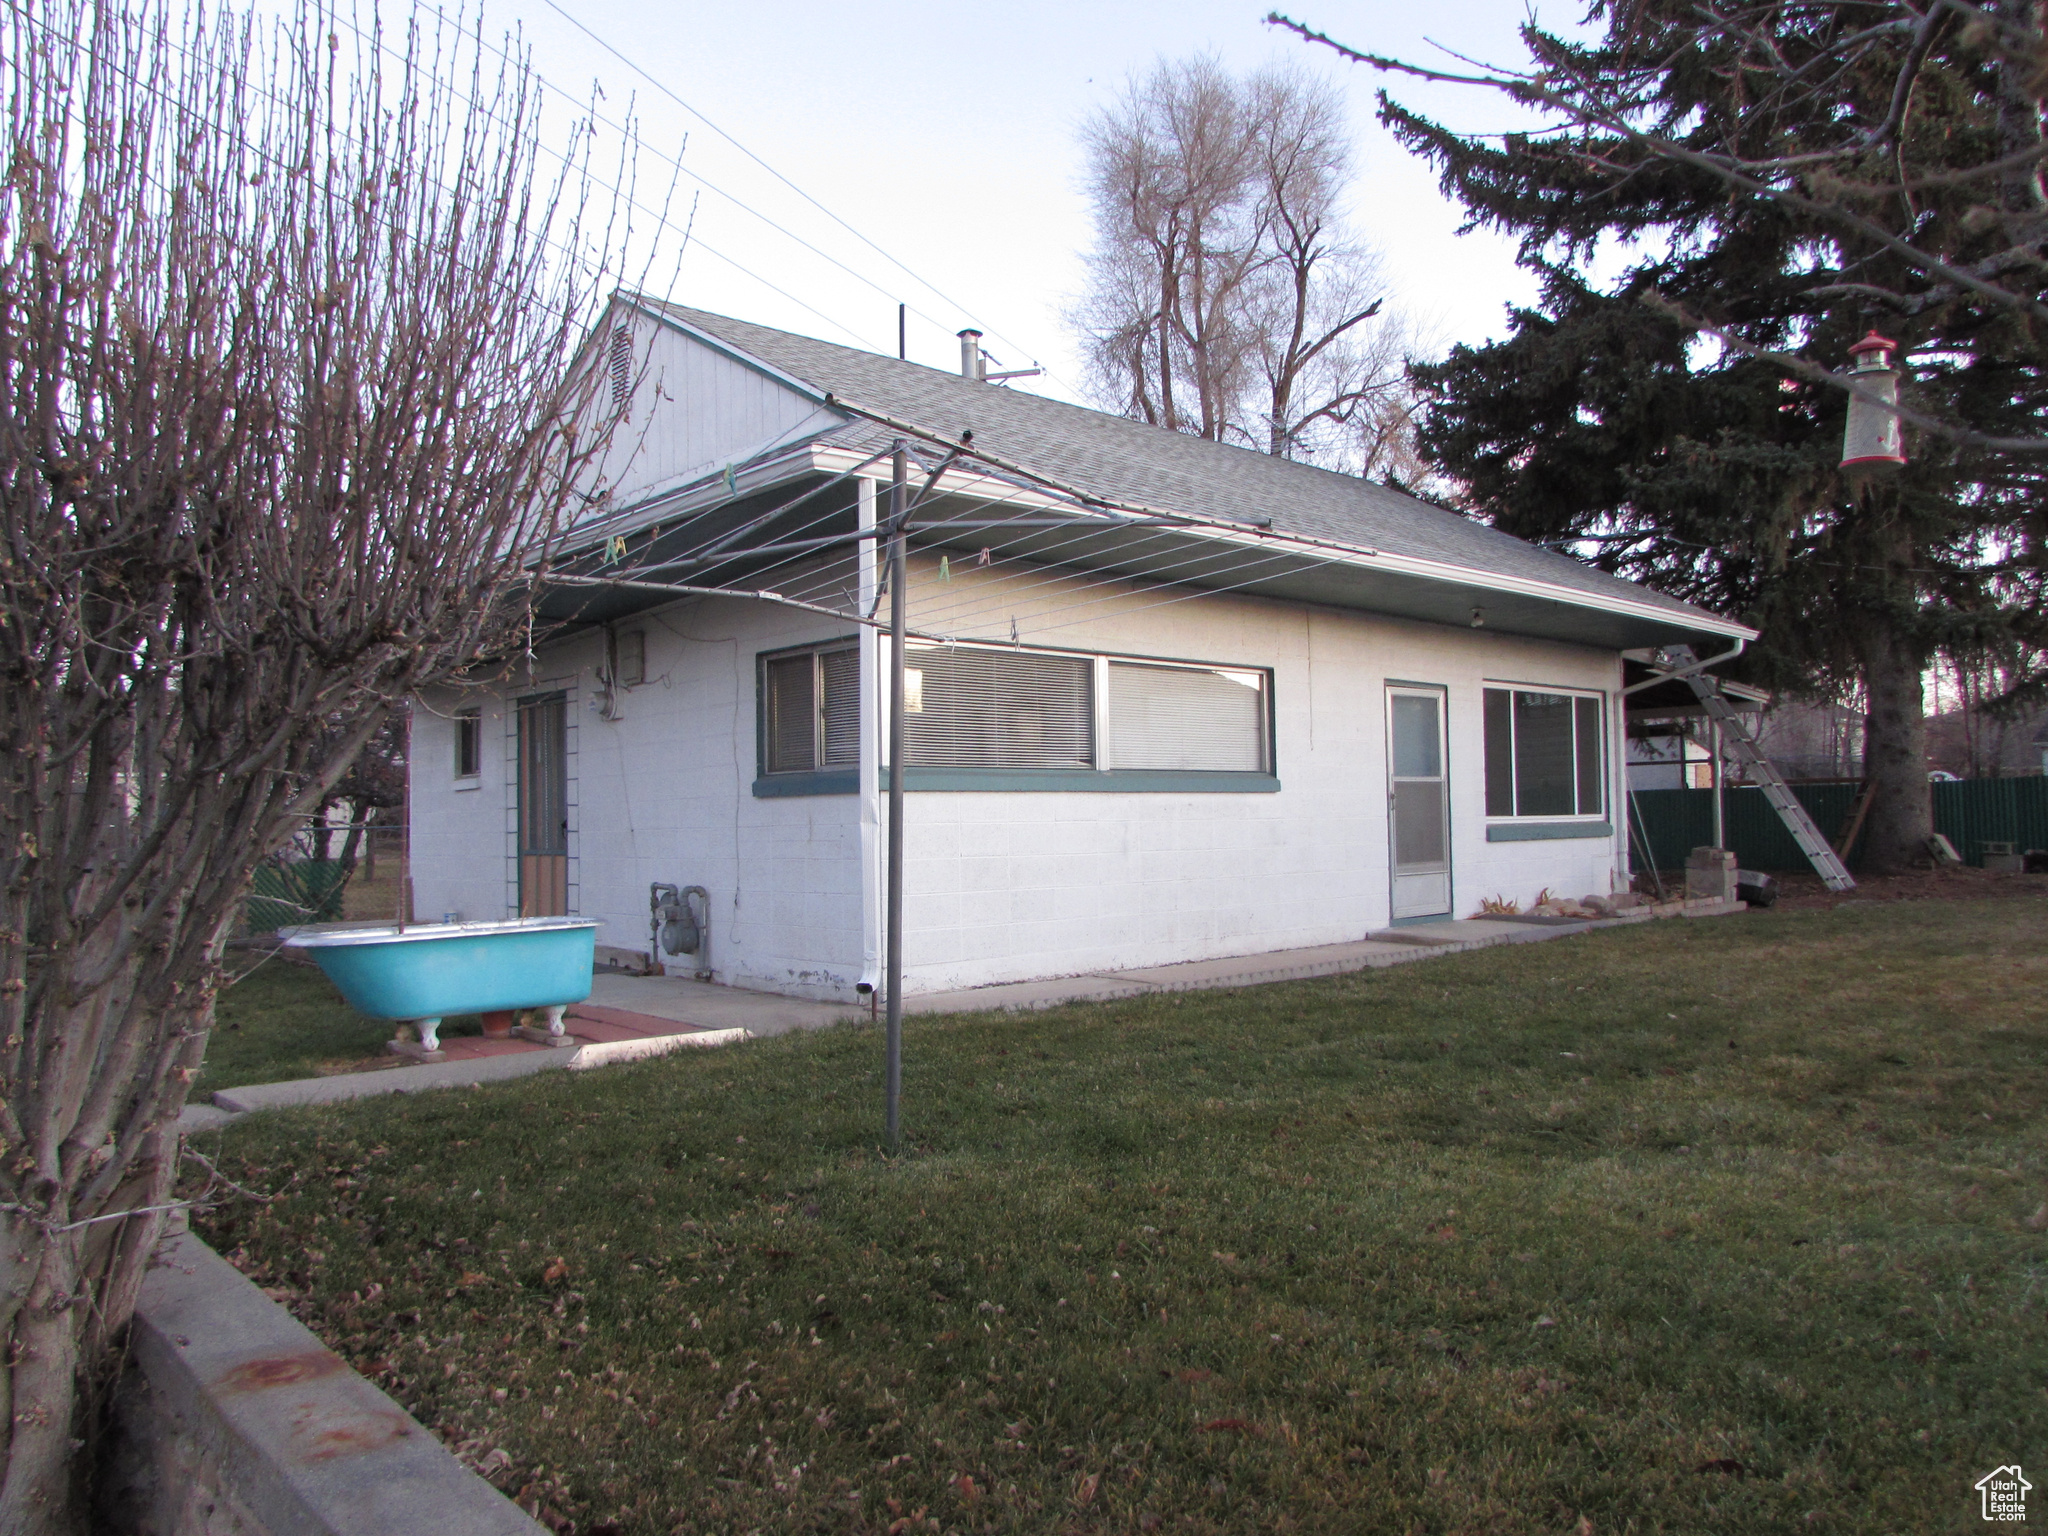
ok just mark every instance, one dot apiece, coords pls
pixel 286 421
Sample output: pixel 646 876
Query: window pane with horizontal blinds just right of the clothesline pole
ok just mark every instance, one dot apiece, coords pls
pixel 1000 710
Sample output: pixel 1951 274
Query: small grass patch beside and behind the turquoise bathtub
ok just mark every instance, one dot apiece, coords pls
pixel 288 1021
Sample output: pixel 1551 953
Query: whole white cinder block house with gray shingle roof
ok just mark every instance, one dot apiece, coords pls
pixel 1170 699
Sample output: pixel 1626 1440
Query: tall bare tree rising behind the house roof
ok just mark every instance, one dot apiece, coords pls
pixel 1228 300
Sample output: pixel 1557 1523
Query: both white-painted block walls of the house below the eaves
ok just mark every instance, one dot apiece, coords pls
pixel 1000 886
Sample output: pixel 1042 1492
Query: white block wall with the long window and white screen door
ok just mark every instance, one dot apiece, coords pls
pixel 1015 886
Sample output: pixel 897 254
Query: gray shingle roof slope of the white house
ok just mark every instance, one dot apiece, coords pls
pixel 1132 462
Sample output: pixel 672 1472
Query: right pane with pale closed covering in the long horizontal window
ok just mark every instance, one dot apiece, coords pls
pixel 1205 720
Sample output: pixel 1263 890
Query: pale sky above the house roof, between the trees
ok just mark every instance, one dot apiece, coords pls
pixel 947 136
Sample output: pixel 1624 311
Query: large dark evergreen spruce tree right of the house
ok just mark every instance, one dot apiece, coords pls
pixel 1652 419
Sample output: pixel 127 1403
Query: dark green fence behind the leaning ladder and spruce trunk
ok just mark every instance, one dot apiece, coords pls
pixel 1969 812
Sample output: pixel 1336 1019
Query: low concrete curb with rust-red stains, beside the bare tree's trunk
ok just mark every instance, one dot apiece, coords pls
pixel 284 1431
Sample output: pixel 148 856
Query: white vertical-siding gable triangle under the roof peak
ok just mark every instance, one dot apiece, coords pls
pixel 693 411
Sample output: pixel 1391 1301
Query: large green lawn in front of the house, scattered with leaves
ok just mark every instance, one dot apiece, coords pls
pixel 1689 1228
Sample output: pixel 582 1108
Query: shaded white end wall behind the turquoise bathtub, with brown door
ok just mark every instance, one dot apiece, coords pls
pixel 663 794
